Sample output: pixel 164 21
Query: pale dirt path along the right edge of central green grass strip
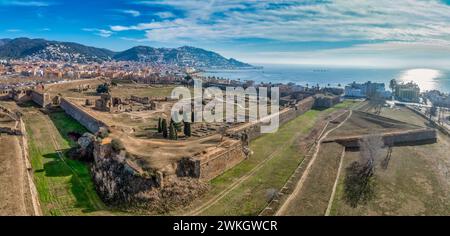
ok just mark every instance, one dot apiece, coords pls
pixel 299 185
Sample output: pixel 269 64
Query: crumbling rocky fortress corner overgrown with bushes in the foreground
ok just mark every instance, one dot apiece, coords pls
pixel 119 181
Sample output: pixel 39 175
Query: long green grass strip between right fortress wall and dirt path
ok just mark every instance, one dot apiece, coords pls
pixel 252 195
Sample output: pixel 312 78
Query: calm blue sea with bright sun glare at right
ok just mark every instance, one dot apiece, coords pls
pixel 427 79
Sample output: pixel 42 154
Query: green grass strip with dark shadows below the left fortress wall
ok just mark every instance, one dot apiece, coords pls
pixel 64 185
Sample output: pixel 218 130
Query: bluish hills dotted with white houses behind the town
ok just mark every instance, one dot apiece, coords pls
pixel 41 49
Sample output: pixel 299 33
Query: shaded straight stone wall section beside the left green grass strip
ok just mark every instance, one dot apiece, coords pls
pixel 88 121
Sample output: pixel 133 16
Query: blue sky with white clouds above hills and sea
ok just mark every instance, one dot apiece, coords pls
pixel 372 33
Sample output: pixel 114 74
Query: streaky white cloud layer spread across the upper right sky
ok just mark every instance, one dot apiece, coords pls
pixel 296 21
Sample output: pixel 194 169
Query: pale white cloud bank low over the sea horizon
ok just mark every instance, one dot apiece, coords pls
pixel 388 55
